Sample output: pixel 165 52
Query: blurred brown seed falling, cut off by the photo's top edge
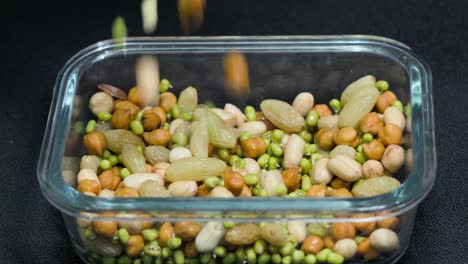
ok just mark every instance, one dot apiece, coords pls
pixel 191 15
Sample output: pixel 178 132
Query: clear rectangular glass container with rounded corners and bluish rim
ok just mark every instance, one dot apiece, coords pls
pixel 279 67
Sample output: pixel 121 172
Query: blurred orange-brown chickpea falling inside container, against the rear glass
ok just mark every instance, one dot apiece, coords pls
pixel 236 74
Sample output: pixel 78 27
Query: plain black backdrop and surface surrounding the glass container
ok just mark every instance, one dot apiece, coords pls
pixel 38 38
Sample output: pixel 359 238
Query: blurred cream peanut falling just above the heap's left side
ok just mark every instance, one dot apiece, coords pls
pixel 147 77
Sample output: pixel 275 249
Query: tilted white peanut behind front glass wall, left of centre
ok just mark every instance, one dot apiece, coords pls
pixel 209 237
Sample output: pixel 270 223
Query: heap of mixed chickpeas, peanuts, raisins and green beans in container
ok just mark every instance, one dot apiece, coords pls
pixel 218 161
